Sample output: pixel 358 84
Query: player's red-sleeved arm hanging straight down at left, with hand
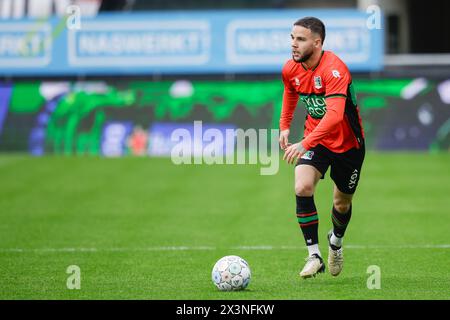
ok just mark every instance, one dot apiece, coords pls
pixel 290 100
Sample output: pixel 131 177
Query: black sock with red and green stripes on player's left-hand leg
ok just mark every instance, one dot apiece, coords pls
pixel 308 219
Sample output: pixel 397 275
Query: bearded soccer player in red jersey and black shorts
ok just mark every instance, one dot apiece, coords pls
pixel 333 137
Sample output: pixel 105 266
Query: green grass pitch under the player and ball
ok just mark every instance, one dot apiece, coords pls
pixel 143 228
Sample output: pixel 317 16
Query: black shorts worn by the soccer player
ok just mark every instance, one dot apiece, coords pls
pixel 345 167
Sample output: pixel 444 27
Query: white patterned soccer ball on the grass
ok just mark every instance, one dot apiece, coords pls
pixel 231 273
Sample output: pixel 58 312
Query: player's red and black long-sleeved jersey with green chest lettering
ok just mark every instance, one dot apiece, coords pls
pixel 327 92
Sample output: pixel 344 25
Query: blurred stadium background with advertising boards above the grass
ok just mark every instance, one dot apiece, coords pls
pixel 87 91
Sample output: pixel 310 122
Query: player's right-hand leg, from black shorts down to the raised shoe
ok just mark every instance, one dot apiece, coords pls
pixel 345 172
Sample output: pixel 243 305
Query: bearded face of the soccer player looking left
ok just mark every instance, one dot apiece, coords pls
pixel 303 43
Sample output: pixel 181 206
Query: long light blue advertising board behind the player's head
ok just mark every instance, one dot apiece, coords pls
pixel 180 42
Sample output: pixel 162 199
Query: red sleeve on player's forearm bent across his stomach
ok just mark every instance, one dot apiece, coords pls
pixel 334 115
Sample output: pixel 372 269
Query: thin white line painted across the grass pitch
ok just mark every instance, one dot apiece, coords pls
pixel 203 248
